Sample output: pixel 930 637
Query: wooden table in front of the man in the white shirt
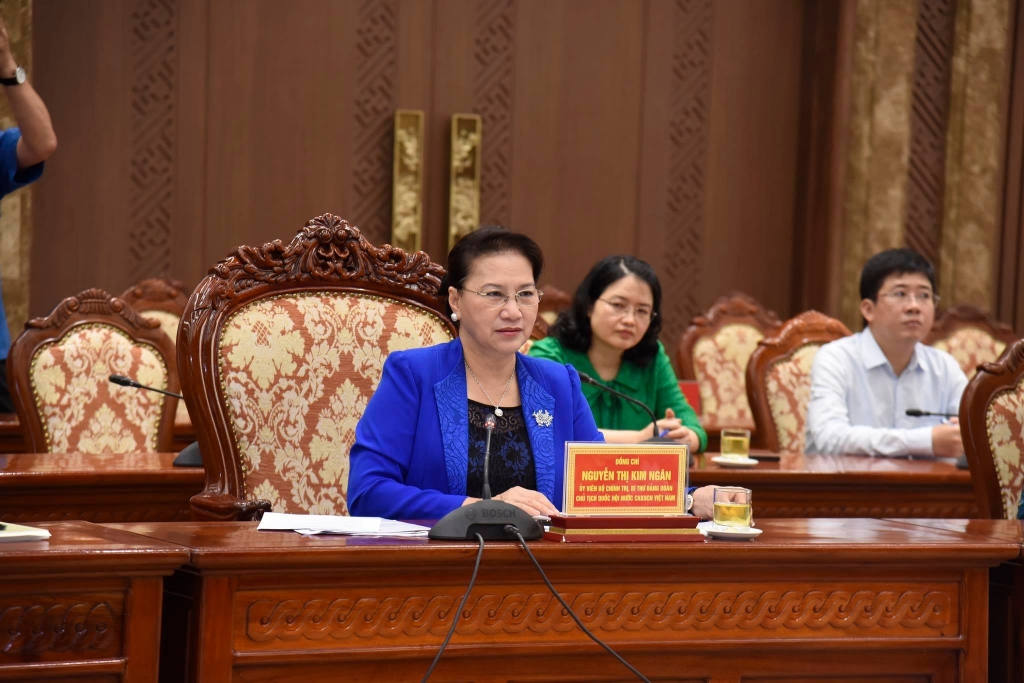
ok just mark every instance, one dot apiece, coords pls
pixel 802 486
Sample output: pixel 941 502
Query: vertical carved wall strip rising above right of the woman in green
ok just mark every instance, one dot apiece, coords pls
pixel 689 142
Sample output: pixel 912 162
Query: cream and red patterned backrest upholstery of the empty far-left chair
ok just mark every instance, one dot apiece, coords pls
pixel 80 410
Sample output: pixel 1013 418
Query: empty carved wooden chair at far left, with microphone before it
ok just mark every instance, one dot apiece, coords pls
pixel 59 369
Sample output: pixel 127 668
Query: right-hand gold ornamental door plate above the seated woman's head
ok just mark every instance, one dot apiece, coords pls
pixel 464 193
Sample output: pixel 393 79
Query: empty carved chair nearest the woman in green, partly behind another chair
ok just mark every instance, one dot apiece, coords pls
pixel 715 351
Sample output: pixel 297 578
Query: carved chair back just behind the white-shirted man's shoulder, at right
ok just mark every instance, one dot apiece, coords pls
pixel 971 336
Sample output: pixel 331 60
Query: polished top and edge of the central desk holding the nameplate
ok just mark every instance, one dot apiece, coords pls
pixel 294 551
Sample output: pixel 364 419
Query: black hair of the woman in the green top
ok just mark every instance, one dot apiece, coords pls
pixel 573 327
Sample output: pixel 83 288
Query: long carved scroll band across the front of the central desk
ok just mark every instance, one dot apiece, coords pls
pixel 540 614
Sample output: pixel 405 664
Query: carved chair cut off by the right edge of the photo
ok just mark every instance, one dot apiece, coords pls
pixel 993 424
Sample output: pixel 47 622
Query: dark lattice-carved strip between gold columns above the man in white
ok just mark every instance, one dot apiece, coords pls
pixel 929 116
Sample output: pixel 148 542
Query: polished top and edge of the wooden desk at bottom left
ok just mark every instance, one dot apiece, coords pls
pixel 80 545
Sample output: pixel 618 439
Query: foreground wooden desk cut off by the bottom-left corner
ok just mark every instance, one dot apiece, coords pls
pixel 84 606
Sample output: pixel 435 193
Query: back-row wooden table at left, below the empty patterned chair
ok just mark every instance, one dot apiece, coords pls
pixel 136 487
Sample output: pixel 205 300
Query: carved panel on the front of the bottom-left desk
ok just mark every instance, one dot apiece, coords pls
pixel 50 625
